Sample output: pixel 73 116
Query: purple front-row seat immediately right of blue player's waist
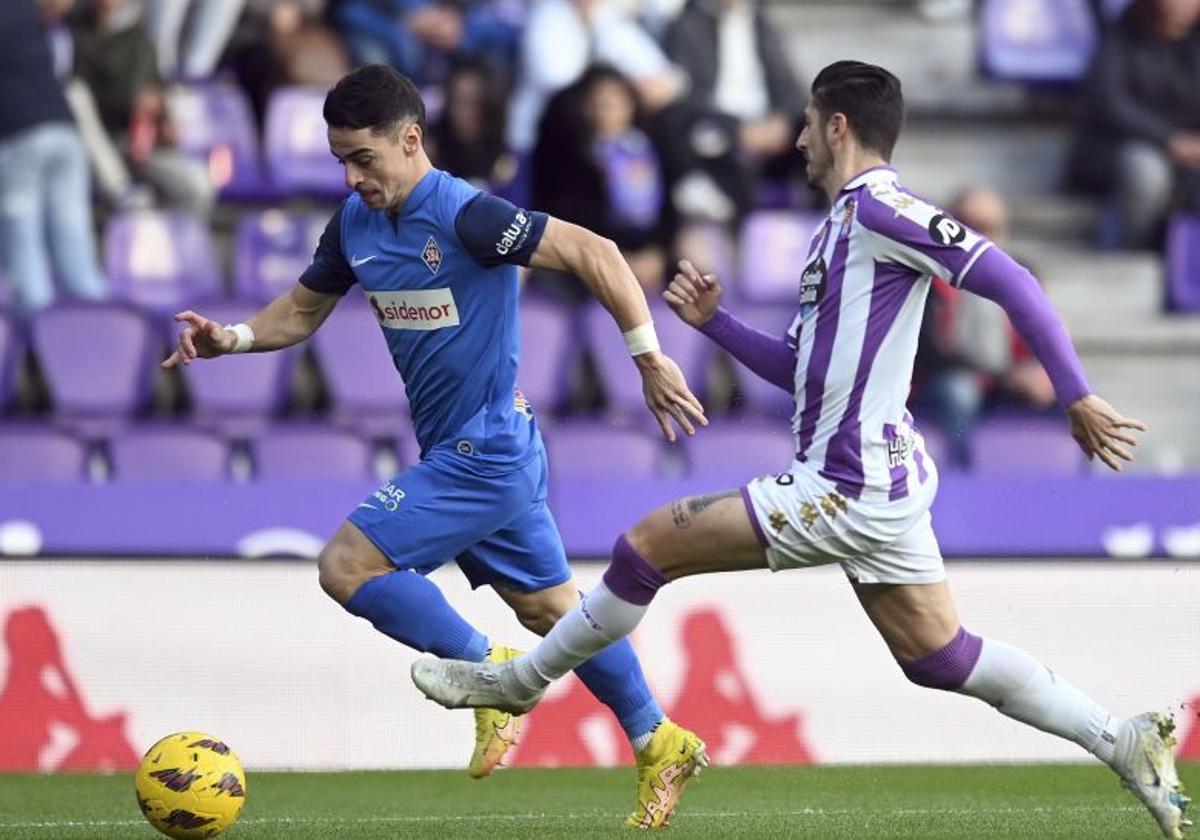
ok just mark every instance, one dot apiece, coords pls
pixel 599 451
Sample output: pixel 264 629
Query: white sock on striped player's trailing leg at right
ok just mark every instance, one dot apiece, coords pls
pixel 1027 691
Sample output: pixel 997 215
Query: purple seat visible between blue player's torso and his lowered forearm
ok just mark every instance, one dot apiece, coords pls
pixel 549 352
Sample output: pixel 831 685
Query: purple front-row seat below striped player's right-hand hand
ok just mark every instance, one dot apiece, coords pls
pixel 1025 447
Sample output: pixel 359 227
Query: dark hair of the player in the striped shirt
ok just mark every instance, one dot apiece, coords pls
pixel 868 97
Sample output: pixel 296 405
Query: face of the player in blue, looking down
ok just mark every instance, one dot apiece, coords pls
pixel 379 167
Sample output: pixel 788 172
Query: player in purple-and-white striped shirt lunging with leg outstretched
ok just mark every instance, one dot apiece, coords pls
pixel 862 484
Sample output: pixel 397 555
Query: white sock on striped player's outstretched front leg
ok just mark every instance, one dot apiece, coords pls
pixel 598 621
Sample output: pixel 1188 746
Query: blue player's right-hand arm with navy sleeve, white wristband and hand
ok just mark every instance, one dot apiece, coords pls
pixel 496 232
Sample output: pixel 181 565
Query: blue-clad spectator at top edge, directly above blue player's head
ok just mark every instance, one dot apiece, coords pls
pixel 419 38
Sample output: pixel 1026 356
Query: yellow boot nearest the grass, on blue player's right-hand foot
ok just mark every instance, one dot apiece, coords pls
pixel 674 757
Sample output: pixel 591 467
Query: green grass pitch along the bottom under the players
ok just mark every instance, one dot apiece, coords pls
pixel 919 802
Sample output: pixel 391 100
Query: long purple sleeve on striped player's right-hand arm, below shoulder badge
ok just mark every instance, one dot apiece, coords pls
pixel 999 278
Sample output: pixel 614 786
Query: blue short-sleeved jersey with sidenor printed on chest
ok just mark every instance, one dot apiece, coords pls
pixel 441 277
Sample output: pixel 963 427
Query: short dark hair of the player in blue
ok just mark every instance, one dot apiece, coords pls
pixel 374 97
